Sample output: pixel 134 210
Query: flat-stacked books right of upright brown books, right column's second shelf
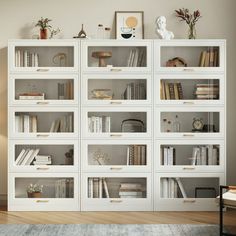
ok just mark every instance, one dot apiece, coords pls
pixel 207 91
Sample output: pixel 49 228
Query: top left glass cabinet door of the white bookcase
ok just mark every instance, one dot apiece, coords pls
pixel 44 56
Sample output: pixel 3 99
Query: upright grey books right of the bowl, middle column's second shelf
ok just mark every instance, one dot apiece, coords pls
pixel 135 91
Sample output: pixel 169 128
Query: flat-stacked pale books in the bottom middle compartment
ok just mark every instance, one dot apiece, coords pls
pixel 131 190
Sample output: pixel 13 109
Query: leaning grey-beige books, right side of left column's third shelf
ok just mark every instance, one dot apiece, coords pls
pixel 63 124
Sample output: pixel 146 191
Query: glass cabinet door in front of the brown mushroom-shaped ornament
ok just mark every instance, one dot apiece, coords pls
pixel 117 56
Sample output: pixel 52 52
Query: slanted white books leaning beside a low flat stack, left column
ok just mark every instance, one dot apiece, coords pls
pixel 26 156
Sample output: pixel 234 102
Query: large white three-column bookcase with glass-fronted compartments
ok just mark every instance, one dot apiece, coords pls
pixel 118 122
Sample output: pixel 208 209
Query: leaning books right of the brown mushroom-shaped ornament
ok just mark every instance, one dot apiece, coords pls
pixel 137 58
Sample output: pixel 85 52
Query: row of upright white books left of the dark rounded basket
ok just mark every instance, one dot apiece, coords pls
pixel 99 124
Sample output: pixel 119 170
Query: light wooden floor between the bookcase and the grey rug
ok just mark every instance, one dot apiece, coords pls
pixel 115 217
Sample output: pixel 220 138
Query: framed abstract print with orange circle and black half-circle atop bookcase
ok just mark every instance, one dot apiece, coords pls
pixel 129 25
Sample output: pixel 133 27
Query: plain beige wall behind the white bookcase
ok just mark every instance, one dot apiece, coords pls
pixel 17 17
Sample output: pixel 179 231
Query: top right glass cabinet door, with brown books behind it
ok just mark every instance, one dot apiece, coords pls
pixel 183 56
